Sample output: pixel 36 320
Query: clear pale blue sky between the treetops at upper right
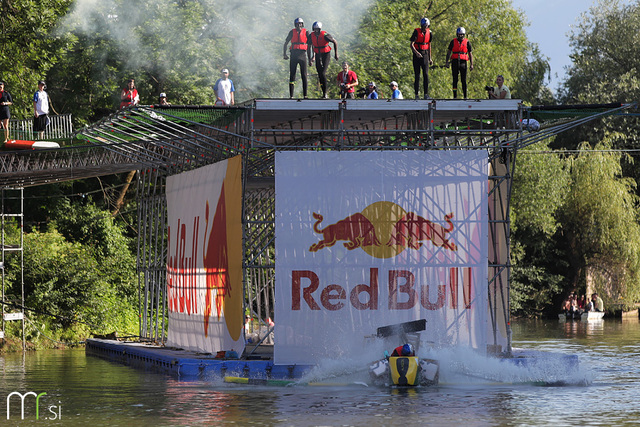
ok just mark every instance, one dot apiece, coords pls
pixel 550 22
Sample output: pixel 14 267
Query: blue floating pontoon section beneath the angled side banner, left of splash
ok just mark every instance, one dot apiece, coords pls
pixel 187 365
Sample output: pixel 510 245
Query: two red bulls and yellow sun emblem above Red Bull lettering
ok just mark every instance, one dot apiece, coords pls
pixel 383 230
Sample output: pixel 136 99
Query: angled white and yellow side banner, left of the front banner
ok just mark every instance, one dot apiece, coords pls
pixel 204 261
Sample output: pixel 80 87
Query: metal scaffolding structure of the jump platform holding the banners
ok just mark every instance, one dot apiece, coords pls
pixel 159 141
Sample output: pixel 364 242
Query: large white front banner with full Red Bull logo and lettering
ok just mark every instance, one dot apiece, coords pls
pixel 369 239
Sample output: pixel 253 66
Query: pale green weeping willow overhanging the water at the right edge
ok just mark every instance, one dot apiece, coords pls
pixel 600 224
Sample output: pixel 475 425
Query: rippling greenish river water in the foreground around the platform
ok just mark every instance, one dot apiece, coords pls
pixel 87 391
